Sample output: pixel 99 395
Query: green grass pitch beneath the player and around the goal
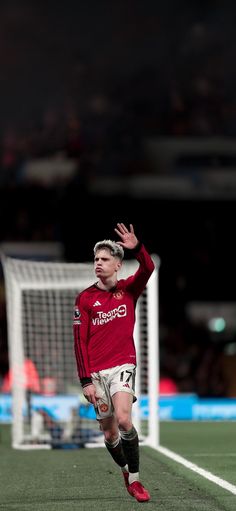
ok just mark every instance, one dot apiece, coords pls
pixel 88 479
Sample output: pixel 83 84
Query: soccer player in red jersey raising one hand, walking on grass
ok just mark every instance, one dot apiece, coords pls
pixel 104 319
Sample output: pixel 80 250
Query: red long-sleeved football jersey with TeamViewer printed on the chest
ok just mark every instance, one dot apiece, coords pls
pixel 104 321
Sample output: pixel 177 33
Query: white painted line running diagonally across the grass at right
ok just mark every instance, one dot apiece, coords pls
pixel 208 475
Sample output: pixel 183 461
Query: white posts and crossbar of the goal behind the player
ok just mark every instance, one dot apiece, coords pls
pixel 26 275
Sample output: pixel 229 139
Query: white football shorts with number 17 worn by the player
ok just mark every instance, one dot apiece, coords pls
pixel 108 382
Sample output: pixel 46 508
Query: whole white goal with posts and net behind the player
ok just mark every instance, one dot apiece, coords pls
pixel 48 407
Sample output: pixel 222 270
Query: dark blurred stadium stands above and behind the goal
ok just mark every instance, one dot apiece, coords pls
pixel 91 83
